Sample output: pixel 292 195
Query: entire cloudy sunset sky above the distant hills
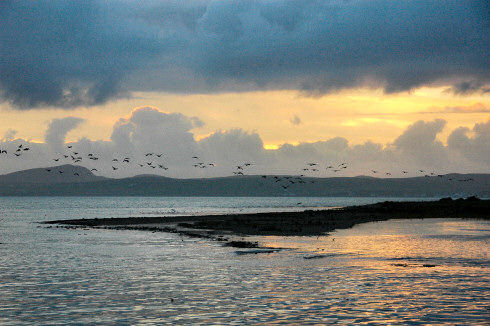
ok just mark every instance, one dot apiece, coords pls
pixel 382 86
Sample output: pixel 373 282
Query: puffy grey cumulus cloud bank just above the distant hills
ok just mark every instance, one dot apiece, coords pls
pixel 149 130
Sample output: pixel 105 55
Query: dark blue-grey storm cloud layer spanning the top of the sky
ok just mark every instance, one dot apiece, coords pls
pixel 83 53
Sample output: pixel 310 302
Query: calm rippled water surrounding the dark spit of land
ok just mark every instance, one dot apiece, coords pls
pixel 395 272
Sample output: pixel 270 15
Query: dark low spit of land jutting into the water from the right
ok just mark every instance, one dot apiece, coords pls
pixel 228 227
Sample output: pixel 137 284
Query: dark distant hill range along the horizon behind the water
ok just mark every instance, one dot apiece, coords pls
pixel 69 180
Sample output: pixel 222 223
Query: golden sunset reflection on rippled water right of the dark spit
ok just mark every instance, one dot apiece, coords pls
pixel 433 270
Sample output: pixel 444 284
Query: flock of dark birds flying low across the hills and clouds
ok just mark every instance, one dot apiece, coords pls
pixel 155 161
